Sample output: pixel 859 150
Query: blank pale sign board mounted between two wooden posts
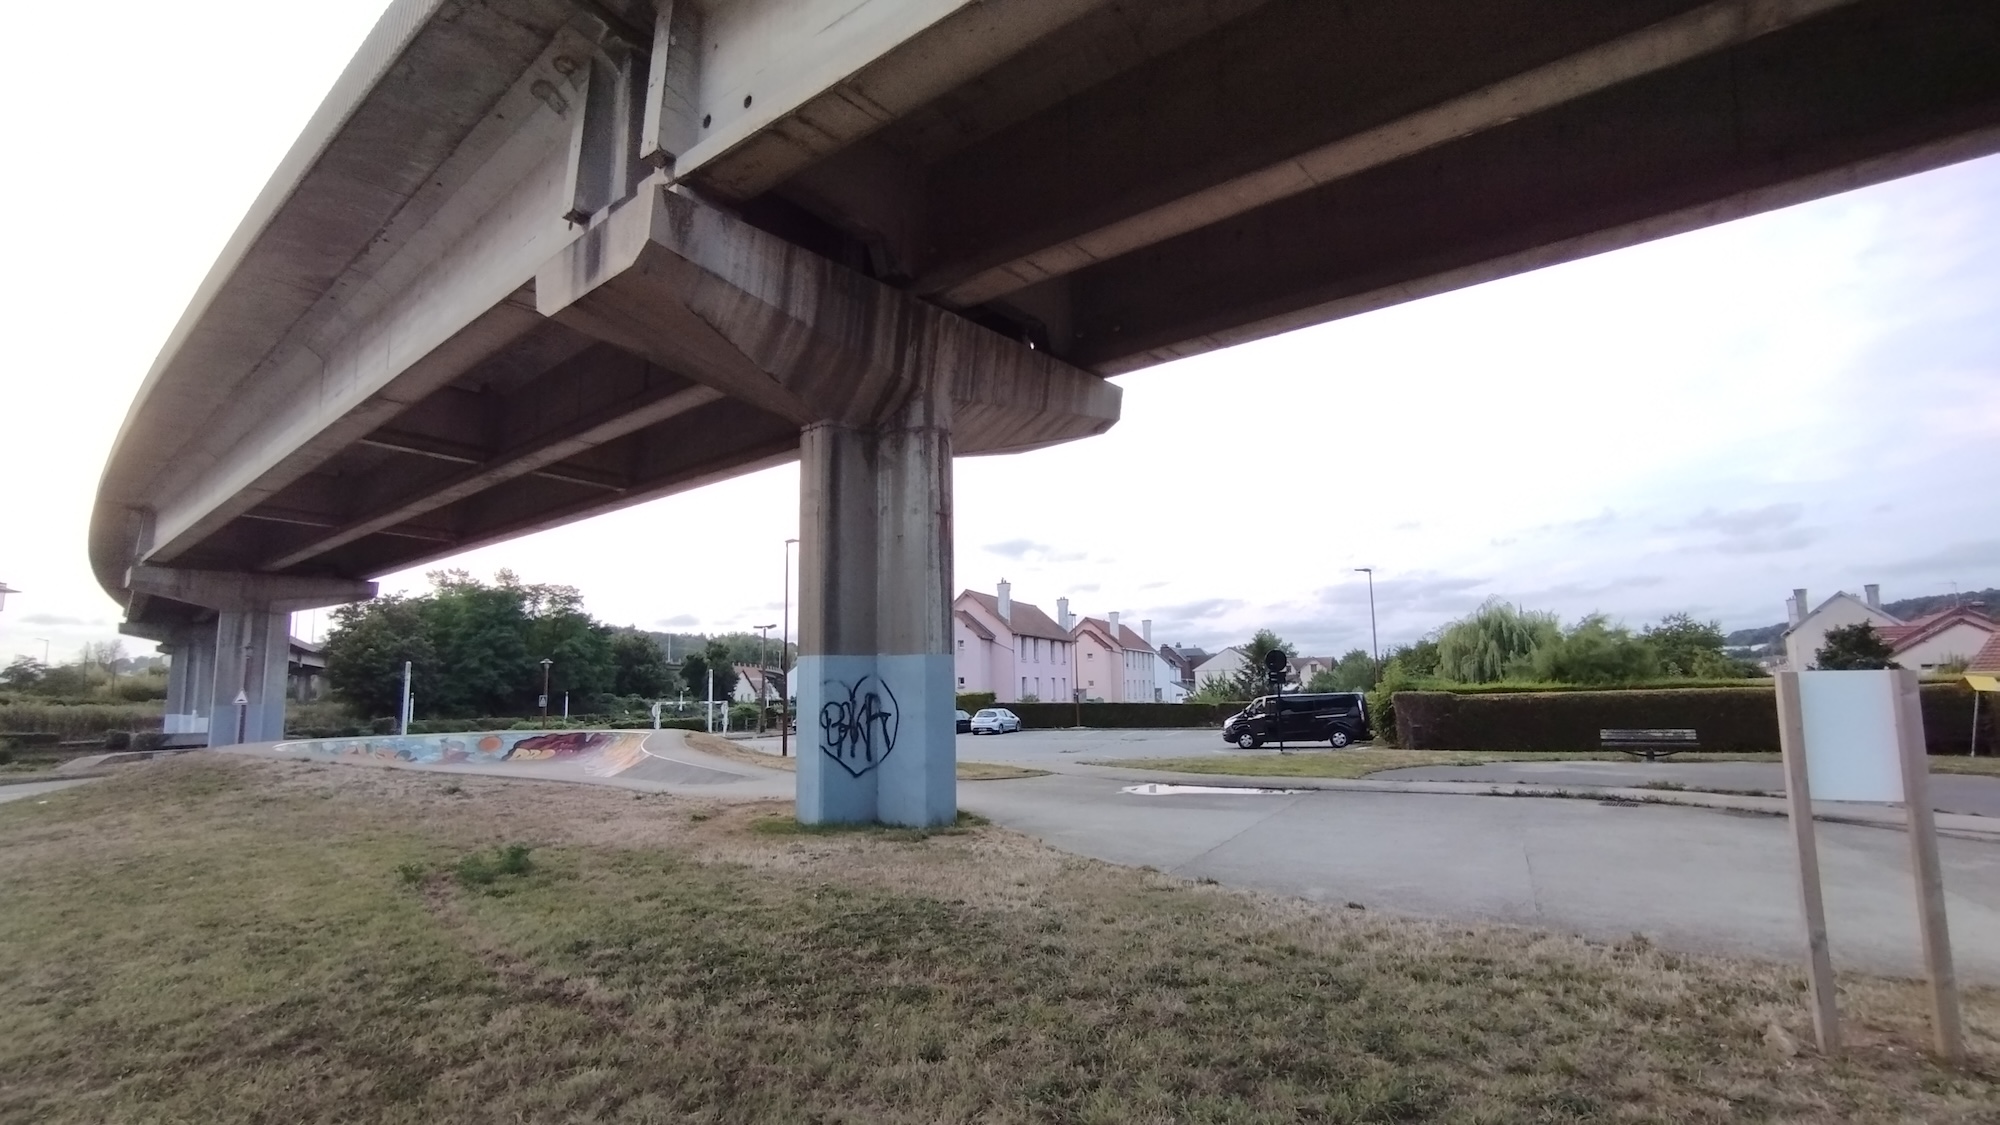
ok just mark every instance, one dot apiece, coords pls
pixel 1851 736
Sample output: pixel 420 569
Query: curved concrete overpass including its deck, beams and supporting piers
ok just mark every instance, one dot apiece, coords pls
pixel 543 259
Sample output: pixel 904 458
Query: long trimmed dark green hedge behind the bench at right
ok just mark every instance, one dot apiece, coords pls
pixel 1727 720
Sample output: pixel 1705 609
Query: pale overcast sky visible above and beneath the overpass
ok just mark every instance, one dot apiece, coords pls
pixel 1801 399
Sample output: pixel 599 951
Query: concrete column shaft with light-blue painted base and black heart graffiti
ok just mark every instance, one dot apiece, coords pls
pixel 875 670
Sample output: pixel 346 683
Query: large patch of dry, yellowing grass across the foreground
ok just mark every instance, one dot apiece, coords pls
pixel 231 940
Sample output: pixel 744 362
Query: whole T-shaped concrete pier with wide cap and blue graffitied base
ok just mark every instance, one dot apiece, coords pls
pixel 885 389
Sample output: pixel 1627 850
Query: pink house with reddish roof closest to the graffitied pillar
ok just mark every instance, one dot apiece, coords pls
pixel 1011 650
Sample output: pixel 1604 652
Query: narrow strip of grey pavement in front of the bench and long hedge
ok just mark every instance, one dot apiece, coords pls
pixel 1949 792
